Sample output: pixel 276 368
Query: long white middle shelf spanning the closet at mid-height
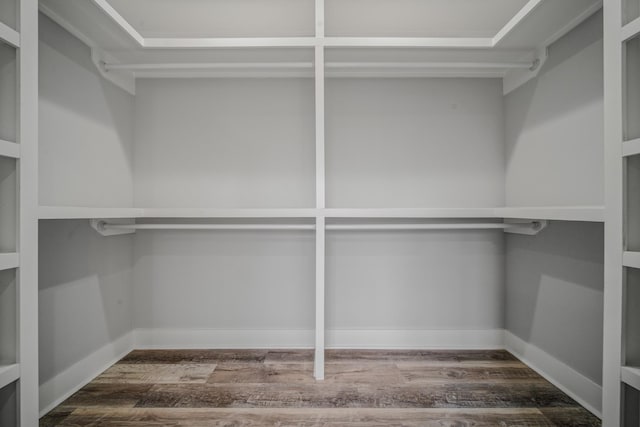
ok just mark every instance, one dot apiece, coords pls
pixel 575 213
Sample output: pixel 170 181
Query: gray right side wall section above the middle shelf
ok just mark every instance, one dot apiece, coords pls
pixel 554 127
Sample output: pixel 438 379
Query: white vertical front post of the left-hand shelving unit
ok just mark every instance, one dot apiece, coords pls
pixel 28 214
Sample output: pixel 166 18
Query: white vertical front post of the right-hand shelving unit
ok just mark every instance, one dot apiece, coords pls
pixel 613 280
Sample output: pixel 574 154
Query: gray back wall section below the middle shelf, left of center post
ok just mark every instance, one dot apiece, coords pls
pixel 224 280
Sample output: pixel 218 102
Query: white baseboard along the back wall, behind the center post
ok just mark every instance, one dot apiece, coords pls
pixel 378 339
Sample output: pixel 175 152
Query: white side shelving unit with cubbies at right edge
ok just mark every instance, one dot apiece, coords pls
pixel 621 373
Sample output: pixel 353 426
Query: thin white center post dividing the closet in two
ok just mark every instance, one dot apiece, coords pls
pixel 318 367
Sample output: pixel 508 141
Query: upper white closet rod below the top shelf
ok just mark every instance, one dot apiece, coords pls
pixel 309 65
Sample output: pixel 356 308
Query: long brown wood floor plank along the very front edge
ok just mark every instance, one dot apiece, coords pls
pixel 308 417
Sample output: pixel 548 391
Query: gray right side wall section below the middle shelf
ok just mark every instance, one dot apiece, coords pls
pixel 554 293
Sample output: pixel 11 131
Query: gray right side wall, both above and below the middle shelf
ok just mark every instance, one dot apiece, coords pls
pixel 554 136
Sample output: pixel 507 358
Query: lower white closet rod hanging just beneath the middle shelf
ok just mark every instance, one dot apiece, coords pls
pixel 338 227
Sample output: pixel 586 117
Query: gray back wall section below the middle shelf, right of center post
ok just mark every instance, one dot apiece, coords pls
pixel 413 280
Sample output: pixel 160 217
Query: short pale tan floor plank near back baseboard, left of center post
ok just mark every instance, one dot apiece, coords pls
pixel 128 373
